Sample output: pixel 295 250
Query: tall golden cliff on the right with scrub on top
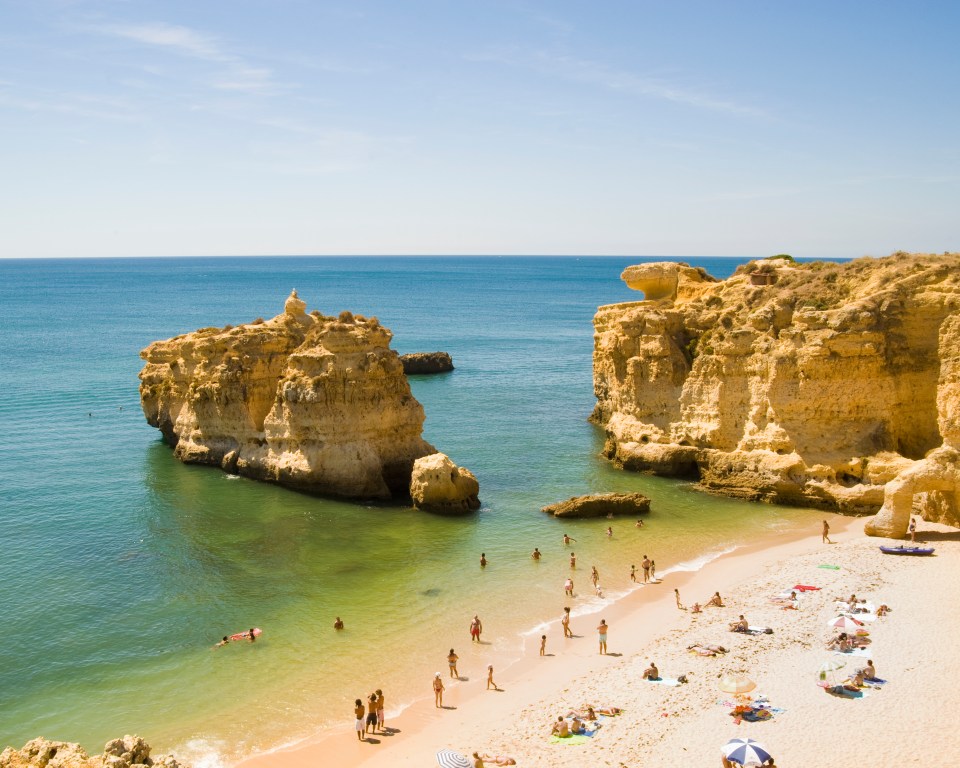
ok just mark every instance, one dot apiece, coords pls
pixel 809 384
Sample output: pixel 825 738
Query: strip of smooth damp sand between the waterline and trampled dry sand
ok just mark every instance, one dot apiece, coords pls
pixel 638 619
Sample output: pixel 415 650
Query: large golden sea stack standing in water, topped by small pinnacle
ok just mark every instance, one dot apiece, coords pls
pixel 313 402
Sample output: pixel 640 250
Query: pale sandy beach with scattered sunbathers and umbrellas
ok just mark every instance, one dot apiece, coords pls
pixel 662 723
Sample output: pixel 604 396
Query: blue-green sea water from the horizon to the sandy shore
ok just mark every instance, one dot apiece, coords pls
pixel 122 567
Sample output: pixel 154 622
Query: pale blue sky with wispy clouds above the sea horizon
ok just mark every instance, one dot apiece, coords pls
pixel 620 127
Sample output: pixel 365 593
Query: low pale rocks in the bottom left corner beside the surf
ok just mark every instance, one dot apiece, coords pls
pixel 128 752
